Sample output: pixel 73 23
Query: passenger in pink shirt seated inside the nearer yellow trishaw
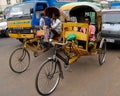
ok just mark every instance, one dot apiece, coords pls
pixel 91 32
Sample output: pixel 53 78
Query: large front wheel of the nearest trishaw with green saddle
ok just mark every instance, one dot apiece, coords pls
pixel 48 77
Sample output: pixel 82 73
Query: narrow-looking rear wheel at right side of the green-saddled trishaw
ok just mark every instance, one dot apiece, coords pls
pixel 102 53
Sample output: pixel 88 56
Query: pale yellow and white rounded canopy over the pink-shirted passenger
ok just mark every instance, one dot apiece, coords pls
pixel 80 8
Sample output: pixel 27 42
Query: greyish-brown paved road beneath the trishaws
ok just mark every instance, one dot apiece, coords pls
pixel 86 78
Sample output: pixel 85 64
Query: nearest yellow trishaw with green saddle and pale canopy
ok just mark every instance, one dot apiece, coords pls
pixel 68 50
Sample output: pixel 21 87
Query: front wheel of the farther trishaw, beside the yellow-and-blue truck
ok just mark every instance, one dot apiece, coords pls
pixel 19 60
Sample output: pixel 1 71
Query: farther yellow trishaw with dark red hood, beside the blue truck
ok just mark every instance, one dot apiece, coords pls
pixel 19 60
